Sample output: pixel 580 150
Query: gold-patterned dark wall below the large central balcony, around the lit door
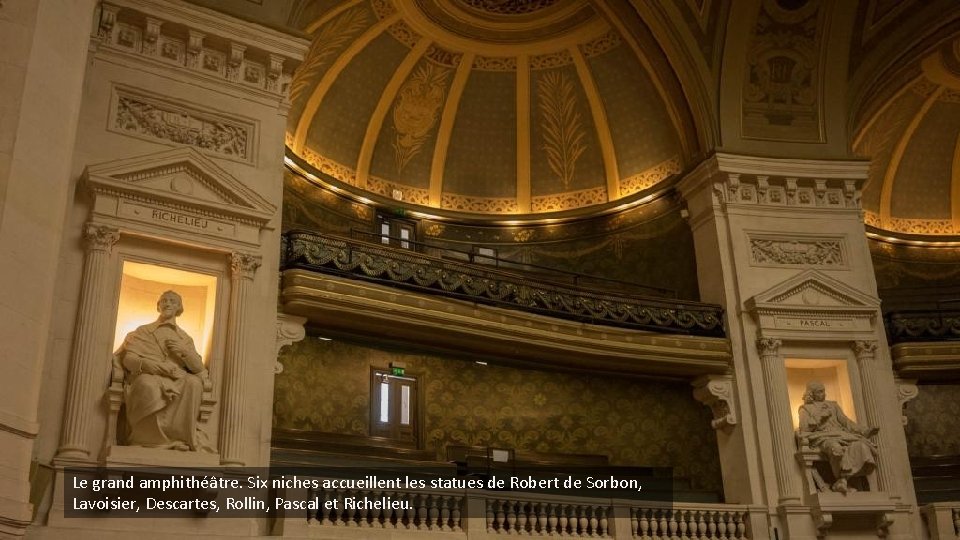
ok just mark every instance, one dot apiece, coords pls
pixel 634 422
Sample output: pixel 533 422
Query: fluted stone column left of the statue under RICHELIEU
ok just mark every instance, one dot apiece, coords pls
pixel 90 350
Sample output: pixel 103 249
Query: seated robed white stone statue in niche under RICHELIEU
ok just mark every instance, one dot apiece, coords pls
pixel 164 383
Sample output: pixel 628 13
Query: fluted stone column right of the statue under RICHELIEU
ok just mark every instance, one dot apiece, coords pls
pixel 242 268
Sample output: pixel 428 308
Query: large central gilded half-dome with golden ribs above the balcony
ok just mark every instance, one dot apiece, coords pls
pixel 487 106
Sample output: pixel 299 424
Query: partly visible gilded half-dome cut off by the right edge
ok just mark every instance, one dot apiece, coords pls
pixel 913 140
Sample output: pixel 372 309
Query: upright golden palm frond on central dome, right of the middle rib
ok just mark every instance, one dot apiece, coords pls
pixel 563 132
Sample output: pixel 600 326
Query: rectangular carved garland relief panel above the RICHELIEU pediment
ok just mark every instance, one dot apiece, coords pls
pixel 141 115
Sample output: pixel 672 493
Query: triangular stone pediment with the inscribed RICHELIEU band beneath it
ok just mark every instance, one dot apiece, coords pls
pixel 177 193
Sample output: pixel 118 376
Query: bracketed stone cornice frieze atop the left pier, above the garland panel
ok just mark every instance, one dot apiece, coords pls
pixel 232 51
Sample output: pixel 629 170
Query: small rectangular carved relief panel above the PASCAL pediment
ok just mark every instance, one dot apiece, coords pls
pixel 771 250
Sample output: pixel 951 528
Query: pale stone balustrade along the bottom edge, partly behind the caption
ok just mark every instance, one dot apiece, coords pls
pixel 485 514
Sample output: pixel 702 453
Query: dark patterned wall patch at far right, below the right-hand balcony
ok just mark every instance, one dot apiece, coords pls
pixel 933 427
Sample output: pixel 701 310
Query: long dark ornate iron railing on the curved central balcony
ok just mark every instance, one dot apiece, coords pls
pixel 398 267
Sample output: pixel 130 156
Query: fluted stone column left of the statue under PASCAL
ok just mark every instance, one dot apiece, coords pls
pixel 781 425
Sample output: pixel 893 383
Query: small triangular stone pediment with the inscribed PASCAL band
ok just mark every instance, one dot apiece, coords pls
pixel 813 305
